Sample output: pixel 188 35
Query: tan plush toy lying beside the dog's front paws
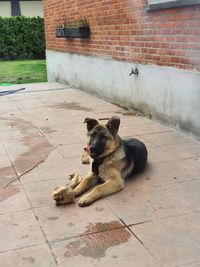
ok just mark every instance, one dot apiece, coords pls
pixel 65 194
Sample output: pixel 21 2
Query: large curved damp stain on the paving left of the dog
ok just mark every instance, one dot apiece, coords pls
pixel 37 145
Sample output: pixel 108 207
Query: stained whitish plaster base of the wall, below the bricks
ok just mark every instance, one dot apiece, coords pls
pixel 164 93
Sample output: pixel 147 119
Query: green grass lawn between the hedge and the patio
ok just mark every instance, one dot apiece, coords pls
pixel 23 71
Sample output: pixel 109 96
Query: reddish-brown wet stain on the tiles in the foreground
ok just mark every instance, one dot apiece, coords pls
pixel 95 245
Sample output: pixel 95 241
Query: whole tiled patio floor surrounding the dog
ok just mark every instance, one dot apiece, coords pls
pixel 154 221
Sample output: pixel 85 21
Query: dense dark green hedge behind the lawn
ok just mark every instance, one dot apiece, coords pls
pixel 22 38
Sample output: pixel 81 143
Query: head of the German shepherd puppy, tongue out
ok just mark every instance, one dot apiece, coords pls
pixel 102 139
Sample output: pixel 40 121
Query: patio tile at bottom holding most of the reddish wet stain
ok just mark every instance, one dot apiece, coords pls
pixel 108 248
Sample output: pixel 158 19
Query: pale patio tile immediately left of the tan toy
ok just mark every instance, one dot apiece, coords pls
pixel 39 193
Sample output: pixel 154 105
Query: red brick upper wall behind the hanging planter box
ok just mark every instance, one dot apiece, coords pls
pixel 124 30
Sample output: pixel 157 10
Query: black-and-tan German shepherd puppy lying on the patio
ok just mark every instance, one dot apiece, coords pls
pixel 113 160
